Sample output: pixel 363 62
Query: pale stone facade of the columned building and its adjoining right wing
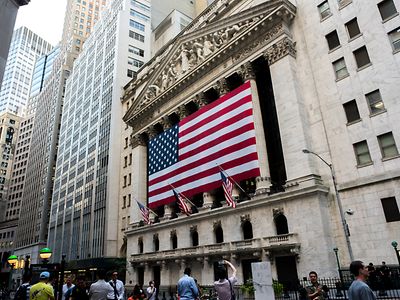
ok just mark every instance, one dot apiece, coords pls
pixel 292 218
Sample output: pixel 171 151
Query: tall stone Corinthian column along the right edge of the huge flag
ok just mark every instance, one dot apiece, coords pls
pixel 263 182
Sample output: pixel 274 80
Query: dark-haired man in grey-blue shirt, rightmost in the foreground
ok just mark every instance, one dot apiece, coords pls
pixel 359 290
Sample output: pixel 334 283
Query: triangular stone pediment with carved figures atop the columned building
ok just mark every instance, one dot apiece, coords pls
pixel 196 49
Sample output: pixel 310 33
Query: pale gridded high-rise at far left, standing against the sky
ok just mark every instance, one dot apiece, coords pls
pixel 25 48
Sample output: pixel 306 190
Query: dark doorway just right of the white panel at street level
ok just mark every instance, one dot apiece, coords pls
pixel 287 271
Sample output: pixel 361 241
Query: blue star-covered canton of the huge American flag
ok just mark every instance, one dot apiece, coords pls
pixel 163 150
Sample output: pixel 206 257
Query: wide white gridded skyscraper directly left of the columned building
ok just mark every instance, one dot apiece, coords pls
pixel 85 215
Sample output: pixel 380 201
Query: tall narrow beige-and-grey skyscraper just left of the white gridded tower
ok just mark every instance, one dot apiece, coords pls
pixel 47 108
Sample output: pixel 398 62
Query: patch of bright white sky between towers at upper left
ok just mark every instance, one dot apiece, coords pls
pixel 43 17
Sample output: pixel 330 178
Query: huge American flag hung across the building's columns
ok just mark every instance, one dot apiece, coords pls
pixel 189 154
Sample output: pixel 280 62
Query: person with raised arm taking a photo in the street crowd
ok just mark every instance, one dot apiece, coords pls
pixel 224 285
